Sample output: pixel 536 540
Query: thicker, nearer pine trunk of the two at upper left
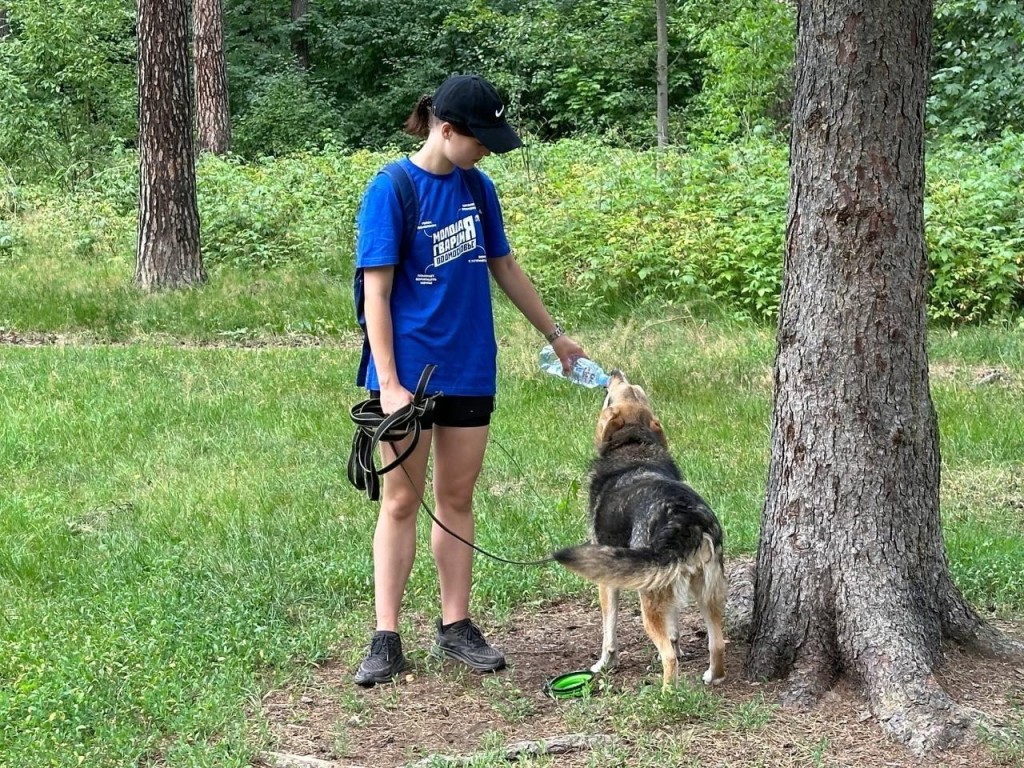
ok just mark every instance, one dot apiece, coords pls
pixel 168 254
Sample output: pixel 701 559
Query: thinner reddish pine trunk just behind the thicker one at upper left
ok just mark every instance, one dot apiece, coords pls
pixel 214 115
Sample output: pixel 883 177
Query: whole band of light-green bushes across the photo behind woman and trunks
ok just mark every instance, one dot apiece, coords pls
pixel 599 229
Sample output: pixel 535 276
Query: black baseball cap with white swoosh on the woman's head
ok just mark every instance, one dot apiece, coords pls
pixel 473 103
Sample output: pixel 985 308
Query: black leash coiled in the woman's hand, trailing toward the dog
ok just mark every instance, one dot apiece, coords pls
pixel 372 428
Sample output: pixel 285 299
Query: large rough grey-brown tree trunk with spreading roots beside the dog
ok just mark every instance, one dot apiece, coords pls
pixel 852 574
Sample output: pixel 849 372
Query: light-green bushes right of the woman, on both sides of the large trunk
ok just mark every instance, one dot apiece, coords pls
pixel 603 228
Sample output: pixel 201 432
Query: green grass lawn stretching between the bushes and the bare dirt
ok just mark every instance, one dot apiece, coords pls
pixel 179 533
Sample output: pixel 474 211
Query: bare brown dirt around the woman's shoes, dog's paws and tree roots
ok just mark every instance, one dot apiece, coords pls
pixel 440 709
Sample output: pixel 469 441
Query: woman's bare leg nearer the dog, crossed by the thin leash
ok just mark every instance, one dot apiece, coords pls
pixel 458 460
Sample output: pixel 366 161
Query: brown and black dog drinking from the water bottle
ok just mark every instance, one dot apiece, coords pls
pixel 650 532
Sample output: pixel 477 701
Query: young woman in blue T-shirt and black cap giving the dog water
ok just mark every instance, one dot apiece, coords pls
pixel 433 305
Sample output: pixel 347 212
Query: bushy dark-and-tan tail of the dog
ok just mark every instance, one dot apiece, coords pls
pixel 643 570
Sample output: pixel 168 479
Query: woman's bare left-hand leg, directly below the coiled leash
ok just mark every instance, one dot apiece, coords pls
pixel 395 539
